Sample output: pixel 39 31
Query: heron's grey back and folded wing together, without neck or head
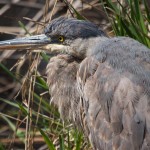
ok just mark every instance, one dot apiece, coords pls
pixel 115 83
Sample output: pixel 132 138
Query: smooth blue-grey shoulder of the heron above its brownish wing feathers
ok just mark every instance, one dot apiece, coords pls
pixel 123 56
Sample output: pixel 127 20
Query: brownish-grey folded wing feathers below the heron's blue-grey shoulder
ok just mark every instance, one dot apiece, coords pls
pixel 117 113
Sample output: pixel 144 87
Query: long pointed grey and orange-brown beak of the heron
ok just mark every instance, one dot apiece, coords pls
pixel 25 42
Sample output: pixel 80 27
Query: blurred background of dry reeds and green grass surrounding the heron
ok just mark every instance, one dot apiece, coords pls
pixel 27 120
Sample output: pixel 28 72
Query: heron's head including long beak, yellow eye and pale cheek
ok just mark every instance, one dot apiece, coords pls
pixel 73 34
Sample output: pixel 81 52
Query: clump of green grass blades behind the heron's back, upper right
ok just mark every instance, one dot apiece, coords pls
pixel 130 18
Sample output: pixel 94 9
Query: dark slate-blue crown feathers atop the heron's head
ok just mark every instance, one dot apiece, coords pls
pixel 73 28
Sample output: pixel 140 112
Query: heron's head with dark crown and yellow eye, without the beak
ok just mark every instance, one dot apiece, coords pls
pixel 75 35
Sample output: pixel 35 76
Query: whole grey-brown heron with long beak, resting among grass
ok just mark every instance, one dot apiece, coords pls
pixel 101 84
